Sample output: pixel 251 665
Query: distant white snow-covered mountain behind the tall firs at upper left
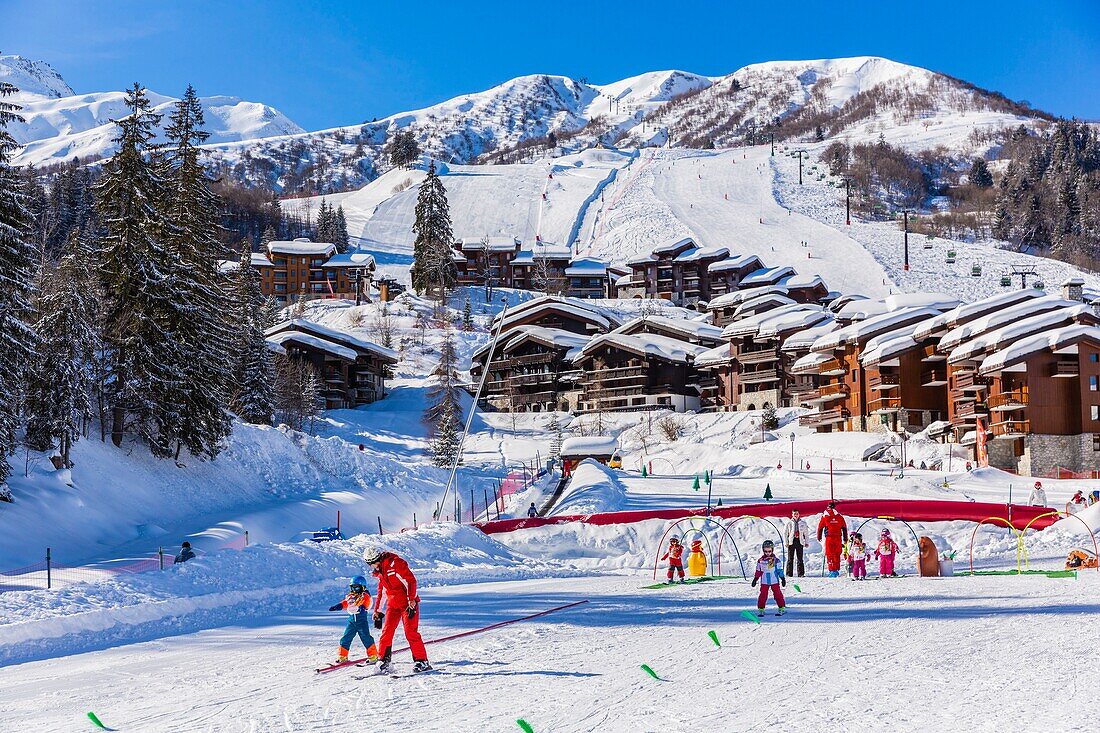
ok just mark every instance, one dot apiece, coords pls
pixel 60 124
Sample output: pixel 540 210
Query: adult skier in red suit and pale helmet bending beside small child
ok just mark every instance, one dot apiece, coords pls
pixel 403 605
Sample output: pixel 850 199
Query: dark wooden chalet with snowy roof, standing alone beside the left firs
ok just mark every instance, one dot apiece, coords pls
pixel 353 369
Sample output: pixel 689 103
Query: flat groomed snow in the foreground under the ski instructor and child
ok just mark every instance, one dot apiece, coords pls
pixel 974 654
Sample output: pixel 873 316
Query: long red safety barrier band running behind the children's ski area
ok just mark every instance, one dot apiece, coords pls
pixel 911 510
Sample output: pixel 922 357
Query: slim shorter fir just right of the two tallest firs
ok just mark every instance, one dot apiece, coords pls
pixel 254 375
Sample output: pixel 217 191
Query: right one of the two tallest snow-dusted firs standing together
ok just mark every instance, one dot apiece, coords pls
pixel 203 331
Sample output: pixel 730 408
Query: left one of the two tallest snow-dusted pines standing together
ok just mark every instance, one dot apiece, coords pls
pixel 138 275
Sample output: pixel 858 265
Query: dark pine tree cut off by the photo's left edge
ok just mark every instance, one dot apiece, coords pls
pixel 17 275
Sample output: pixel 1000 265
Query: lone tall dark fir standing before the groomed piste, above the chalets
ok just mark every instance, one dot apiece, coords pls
pixel 433 266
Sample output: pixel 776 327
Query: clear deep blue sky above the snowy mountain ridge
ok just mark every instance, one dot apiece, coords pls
pixel 326 64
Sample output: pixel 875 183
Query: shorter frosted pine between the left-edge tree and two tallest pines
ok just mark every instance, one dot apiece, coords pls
pixel 60 387
